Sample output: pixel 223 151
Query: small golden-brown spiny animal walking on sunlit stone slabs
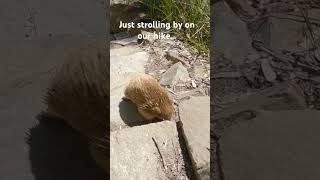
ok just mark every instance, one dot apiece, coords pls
pixel 151 99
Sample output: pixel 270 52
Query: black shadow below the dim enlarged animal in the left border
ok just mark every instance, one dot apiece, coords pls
pixel 56 151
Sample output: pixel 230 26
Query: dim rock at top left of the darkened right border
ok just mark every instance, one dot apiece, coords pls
pixel 229 28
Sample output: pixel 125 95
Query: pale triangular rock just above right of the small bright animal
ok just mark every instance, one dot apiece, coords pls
pixel 176 73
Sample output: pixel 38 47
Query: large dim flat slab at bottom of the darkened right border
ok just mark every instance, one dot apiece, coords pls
pixel 274 145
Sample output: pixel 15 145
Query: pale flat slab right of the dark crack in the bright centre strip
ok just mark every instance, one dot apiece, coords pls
pixel 195 119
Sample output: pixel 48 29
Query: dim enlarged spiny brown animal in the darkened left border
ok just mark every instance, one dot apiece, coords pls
pixel 79 94
